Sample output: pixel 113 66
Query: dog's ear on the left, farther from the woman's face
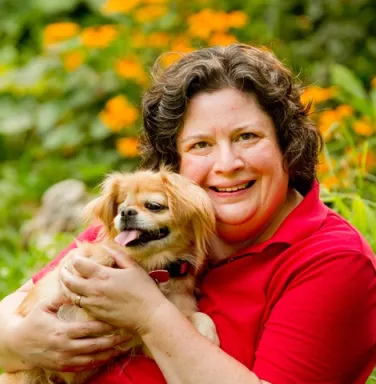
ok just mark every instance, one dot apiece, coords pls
pixel 103 209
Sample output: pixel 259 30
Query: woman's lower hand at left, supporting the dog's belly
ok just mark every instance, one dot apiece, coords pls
pixel 42 340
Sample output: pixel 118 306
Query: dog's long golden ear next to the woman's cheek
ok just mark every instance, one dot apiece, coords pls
pixel 190 205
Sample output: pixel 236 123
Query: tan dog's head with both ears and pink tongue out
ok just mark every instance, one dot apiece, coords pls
pixel 150 211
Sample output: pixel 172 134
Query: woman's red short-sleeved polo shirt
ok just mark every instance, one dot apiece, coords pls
pixel 298 308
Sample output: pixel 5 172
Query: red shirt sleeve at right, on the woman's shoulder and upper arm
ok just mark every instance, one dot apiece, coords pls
pixel 323 327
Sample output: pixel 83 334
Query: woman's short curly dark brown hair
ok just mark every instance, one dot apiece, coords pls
pixel 243 67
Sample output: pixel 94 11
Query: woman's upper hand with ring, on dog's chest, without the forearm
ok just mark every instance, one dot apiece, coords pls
pixel 125 297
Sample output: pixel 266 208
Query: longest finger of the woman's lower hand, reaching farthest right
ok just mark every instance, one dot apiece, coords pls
pixel 98 344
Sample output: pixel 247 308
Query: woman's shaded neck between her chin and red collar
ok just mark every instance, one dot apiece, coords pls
pixel 220 249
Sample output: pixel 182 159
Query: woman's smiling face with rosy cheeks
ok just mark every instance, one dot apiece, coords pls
pixel 228 145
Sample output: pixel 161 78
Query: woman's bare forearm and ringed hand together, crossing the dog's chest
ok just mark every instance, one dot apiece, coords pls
pixel 129 298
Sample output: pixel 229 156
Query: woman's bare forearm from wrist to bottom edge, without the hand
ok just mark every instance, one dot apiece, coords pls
pixel 185 356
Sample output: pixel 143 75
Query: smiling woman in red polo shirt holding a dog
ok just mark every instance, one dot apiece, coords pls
pixel 291 285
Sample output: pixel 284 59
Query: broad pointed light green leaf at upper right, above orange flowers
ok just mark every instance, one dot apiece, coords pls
pixel 345 79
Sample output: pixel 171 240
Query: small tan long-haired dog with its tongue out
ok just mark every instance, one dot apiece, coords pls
pixel 164 221
